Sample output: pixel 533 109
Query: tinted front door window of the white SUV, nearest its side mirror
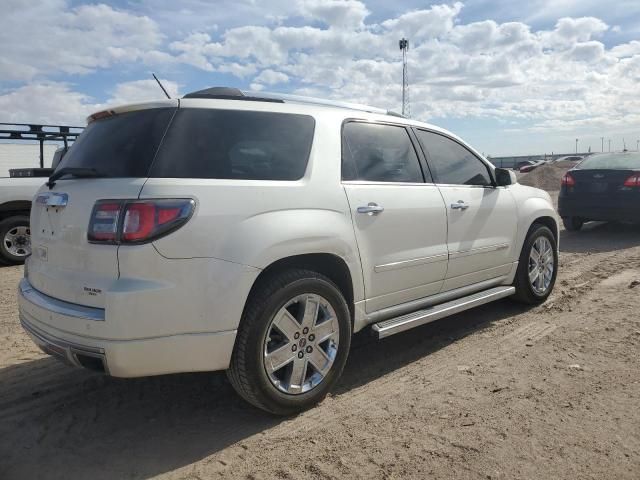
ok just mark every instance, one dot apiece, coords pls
pixel 451 162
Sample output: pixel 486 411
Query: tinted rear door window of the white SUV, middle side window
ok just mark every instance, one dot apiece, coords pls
pixel 379 153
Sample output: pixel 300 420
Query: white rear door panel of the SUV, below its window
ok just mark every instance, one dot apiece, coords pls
pixel 403 246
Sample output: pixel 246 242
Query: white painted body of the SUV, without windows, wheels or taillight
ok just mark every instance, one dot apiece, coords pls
pixel 168 305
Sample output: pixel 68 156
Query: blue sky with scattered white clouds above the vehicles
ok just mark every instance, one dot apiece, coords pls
pixel 509 77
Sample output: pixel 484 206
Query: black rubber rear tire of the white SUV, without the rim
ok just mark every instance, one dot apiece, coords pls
pixel 247 371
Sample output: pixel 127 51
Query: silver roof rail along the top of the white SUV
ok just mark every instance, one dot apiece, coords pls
pixel 225 93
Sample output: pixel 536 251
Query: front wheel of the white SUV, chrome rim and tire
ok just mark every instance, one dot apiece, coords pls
pixel 538 266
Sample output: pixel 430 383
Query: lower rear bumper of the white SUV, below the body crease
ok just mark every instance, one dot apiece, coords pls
pixel 119 358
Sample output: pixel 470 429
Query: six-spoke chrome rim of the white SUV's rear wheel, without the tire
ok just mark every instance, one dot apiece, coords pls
pixel 301 344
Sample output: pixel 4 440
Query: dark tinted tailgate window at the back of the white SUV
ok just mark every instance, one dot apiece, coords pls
pixel 120 146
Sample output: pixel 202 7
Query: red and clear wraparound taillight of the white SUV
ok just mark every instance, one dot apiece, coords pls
pixel 137 221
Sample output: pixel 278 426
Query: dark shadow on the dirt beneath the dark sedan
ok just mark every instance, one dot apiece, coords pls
pixel 597 237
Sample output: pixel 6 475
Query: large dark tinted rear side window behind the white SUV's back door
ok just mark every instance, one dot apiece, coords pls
pixel 234 144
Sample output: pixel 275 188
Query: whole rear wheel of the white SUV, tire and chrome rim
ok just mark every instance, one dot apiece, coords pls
pixel 292 343
